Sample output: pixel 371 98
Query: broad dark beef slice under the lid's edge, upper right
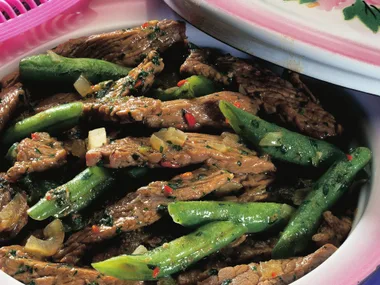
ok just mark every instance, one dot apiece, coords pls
pixel 280 98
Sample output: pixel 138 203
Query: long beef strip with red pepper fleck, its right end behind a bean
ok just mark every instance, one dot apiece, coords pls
pixel 157 114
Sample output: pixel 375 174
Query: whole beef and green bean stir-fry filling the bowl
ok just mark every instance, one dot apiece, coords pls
pixel 135 156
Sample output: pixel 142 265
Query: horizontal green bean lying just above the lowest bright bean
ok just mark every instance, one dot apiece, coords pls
pixel 257 217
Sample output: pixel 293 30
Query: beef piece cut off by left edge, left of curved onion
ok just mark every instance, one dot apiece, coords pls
pixel 13 211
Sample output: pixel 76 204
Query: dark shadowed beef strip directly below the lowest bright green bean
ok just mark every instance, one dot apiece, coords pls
pixel 249 250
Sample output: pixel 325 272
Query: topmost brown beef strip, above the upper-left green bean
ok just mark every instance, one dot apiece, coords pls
pixel 126 47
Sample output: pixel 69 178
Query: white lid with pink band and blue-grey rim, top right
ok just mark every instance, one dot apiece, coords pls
pixel 312 41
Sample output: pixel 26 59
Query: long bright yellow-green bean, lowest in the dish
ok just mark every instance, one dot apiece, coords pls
pixel 174 256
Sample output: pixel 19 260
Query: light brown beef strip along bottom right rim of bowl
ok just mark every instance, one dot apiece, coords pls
pixel 273 272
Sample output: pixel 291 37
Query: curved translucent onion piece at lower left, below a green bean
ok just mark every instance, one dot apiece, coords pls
pixel 54 234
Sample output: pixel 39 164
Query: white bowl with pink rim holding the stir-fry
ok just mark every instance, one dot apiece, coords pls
pixel 360 254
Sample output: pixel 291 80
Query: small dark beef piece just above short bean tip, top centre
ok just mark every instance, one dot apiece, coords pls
pixel 198 62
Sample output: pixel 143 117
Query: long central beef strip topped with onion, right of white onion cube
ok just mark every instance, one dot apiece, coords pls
pixel 198 148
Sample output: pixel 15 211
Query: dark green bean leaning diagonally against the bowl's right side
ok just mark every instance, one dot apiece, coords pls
pixel 326 191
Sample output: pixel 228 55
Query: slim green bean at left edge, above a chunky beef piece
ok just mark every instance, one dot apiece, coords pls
pixel 52 120
